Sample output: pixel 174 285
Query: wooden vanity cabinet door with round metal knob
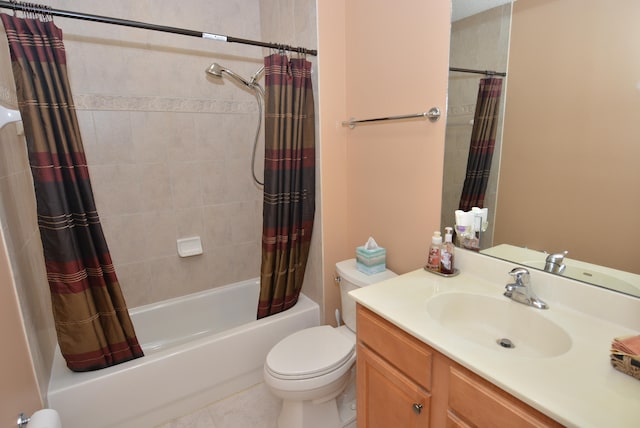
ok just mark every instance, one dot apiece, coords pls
pixel 386 397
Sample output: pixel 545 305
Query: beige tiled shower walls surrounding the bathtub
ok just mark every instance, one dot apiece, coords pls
pixel 168 148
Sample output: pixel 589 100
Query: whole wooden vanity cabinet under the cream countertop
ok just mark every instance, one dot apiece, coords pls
pixel 402 382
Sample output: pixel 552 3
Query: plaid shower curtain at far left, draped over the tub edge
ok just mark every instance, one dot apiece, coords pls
pixel 92 322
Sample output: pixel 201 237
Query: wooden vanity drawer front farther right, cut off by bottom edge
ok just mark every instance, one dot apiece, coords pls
pixel 485 405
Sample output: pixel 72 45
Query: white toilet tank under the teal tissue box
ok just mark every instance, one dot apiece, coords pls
pixel 350 279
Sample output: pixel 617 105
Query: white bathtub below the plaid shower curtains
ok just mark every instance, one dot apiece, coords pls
pixel 198 349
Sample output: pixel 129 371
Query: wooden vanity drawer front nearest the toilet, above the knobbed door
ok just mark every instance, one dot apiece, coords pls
pixel 405 352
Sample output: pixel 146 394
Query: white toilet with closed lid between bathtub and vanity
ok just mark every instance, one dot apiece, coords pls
pixel 311 368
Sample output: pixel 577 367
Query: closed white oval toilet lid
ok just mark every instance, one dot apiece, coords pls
pixel 309 353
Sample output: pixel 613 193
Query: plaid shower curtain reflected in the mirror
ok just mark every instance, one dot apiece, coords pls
pixel 483 140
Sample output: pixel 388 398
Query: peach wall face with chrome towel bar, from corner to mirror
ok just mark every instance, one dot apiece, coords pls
pixel 394 169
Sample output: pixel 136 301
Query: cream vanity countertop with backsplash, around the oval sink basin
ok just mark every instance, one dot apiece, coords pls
pixel 578 388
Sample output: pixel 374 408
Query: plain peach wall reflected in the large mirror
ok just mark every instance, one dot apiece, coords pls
pixel 569 175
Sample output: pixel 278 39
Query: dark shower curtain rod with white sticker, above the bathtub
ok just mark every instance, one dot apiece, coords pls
pixel 46 10
